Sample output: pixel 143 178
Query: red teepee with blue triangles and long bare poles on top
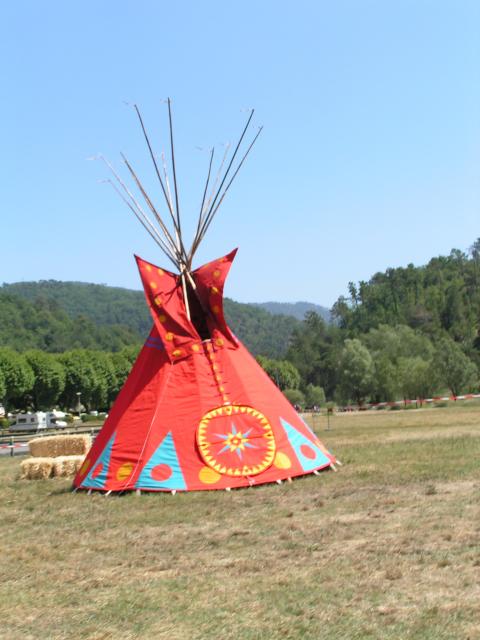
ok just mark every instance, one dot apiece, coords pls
pixel 197 411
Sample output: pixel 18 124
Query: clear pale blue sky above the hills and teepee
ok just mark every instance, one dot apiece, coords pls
pixel 369 158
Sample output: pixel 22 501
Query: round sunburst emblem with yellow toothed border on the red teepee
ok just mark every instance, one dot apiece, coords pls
pixel 236 440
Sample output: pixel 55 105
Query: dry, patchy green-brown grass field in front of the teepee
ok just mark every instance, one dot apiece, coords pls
pixel 387 548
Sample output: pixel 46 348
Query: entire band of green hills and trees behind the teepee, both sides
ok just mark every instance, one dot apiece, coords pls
pixel 407 333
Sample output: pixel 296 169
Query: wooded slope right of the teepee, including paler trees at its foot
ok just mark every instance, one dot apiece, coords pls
pixel 406 333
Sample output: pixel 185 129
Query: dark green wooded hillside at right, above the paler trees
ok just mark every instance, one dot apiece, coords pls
pixel 440 297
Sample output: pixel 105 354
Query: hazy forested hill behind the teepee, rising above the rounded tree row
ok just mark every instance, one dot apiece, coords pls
pixel 57 316
